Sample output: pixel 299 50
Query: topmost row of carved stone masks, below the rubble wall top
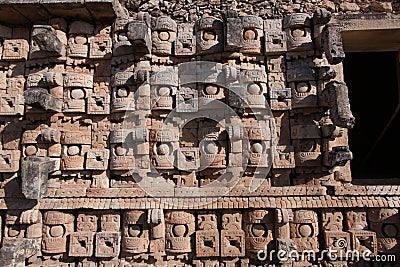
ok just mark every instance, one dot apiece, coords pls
pixel 85 40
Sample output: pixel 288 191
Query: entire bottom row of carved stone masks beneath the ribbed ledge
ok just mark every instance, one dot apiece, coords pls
pixel 231 236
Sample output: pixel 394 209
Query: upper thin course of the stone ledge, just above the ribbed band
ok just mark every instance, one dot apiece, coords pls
pixel 282 192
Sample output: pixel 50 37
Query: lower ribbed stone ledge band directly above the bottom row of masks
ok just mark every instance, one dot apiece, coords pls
pixel 198 203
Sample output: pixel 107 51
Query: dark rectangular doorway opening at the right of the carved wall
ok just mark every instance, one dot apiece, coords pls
pixel 372 79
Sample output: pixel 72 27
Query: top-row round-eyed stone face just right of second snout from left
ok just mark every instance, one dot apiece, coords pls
pixel 163 35
